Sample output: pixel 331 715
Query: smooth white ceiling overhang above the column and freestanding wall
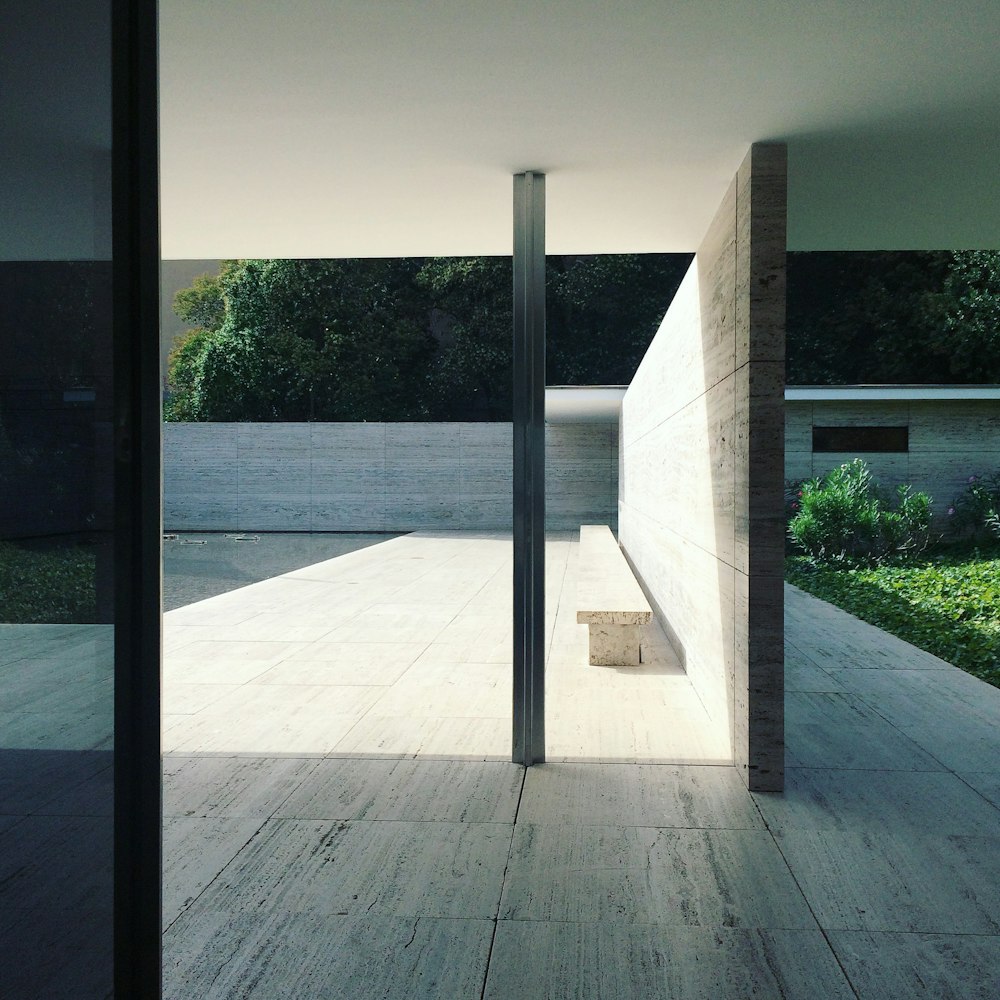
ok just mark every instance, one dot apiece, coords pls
pixel 357 128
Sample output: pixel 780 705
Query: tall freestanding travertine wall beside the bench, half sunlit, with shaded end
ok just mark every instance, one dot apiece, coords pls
pixel 700 507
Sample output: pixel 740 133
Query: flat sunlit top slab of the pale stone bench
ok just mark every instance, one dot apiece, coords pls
pixel 606 591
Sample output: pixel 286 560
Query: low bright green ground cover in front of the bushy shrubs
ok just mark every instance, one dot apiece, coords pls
pixel 947 603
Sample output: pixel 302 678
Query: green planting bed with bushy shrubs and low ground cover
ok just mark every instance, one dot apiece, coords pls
pixel 940 592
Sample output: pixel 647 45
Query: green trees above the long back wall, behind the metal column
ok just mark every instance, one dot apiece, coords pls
pixel 401 339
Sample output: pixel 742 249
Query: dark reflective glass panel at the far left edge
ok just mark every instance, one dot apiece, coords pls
pixel 56 501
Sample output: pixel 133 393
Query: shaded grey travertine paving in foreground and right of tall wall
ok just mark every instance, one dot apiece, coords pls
pixel 875 875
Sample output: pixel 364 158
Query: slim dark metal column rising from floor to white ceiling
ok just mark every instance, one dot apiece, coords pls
pixel 529 468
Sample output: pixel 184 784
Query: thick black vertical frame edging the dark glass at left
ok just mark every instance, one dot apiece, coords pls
pixel 138 532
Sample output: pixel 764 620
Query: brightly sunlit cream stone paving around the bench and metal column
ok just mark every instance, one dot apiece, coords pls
pixel 404 648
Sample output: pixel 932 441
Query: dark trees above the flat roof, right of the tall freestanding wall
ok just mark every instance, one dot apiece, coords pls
pixel 893 317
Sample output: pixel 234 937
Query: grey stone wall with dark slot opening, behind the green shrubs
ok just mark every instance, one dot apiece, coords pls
pixel 950 440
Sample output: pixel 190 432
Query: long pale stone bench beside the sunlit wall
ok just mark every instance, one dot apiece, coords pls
pixel 608 599
